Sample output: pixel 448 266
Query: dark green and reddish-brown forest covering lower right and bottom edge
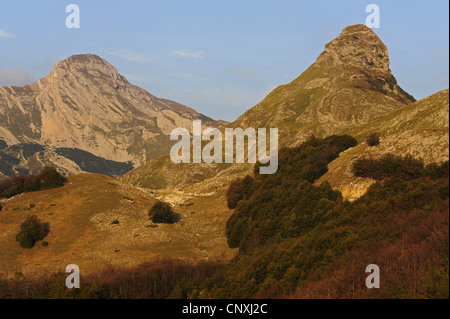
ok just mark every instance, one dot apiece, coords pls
pixel 300 240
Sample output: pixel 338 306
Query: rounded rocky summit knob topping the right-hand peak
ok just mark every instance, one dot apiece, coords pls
pixel 357 46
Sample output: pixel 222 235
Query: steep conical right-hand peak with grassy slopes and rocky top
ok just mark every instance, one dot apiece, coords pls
pixel 349 85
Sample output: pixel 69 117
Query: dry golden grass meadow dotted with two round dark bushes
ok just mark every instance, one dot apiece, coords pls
pixel 82 232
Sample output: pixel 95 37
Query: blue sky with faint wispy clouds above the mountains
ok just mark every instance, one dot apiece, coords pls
pixel 219 57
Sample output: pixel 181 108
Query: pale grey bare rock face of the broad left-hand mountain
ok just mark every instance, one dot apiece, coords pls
pixel 84 103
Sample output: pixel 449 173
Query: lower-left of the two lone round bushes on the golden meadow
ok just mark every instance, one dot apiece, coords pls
pixel 31 231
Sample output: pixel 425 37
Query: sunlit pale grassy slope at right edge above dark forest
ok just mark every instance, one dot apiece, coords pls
pixel 420 129
